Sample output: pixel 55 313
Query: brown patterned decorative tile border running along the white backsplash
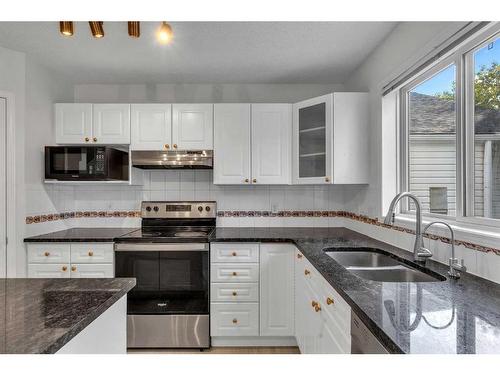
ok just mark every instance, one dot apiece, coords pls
pixel 301 214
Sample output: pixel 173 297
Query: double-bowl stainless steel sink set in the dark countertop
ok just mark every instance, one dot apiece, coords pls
pixel 374 265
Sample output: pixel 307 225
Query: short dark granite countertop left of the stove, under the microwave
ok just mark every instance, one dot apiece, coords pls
pixel 82 235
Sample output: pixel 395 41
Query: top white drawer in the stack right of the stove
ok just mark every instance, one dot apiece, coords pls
pixel 234 252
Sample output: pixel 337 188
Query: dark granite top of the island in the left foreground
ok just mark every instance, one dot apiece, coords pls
pixel 42 315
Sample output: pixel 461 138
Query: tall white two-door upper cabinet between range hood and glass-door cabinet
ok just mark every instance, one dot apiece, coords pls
pixel 252 143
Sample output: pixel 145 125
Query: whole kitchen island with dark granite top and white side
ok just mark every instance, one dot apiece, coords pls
pixel 63 315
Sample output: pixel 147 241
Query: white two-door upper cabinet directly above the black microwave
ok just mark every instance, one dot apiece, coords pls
pixel 80 123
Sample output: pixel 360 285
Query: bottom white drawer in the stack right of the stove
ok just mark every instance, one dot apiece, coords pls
pixel 234 319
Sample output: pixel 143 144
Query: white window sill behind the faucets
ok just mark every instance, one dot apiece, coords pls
pixel 467 232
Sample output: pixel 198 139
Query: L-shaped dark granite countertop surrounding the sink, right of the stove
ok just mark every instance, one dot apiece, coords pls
pixel 452 316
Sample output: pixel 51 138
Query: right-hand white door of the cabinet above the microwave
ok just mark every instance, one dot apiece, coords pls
pixel 111 123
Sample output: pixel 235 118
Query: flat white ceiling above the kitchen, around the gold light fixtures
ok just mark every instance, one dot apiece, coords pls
pixel 202 52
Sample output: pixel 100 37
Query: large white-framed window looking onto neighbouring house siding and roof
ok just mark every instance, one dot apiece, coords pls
pixel 450 133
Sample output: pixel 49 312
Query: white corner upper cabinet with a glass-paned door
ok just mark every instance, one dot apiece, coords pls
pixel 330 139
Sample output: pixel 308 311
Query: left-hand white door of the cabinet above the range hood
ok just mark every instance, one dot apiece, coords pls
pixel 151 127
